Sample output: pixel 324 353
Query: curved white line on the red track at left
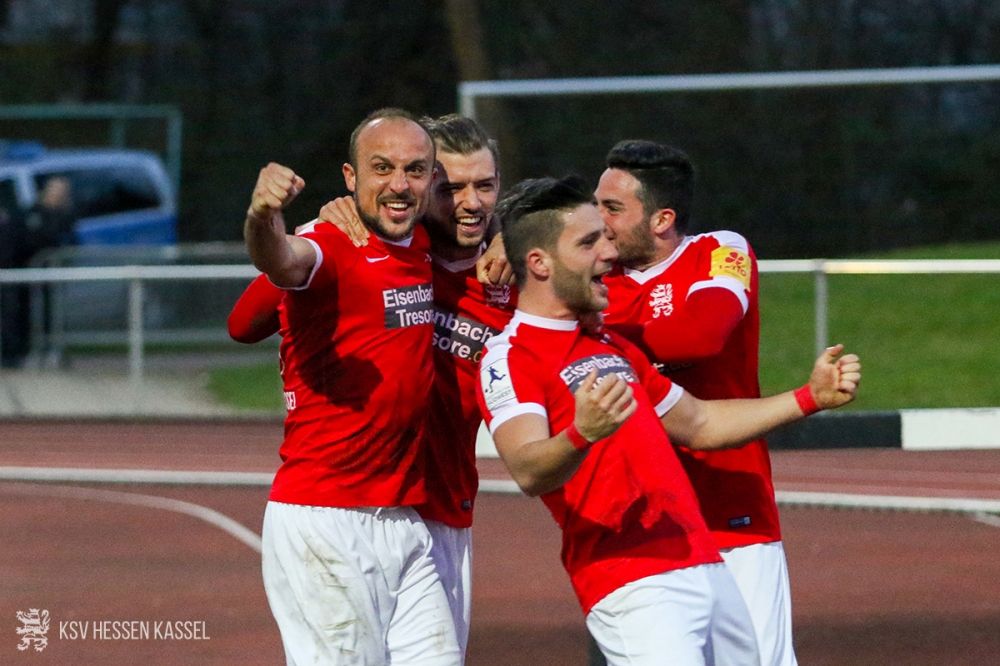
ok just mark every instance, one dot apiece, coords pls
pixel 227 524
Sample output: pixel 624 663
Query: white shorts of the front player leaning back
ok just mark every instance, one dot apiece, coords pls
pixel 688 617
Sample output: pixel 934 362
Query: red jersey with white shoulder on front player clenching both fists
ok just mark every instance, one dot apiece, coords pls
pixel 629 511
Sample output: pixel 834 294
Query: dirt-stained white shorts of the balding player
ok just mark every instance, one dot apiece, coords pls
pixel 355 586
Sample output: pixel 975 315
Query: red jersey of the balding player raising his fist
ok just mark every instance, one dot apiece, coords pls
pixel 356 362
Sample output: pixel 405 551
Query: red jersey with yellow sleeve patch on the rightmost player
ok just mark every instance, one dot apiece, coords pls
pixel 734 487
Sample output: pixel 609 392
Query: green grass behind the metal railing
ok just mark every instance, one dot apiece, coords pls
pixel 925 341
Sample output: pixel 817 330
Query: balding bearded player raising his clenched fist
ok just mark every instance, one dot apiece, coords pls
pixel 346 559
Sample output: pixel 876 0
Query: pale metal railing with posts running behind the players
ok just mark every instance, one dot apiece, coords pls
pixel 137 276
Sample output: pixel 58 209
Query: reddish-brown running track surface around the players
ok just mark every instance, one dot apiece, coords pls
pixel 869 587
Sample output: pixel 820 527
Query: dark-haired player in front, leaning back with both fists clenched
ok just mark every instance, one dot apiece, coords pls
pixel 586 423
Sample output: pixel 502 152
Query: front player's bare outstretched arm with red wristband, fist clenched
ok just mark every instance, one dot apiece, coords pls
pixel 720 424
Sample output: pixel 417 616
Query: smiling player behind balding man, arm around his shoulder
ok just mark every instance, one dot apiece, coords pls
pixel 466 315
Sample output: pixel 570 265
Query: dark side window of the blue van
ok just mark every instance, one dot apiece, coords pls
pixel 107 190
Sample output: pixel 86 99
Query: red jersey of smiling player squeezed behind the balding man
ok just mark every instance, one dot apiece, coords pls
pixel 466 315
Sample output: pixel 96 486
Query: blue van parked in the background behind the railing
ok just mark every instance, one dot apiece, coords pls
pixel 77 207
